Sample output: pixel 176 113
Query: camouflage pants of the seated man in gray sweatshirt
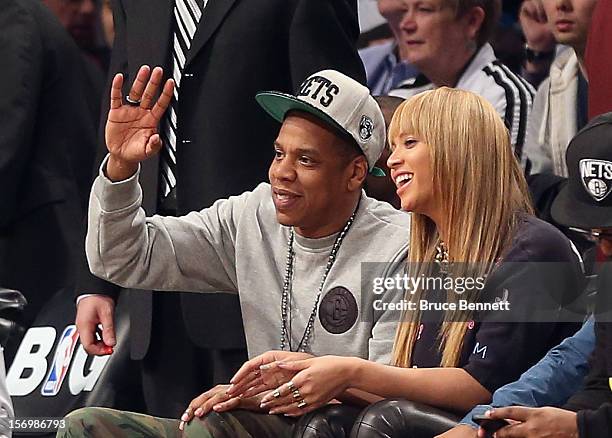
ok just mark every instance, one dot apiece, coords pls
pixel 104 422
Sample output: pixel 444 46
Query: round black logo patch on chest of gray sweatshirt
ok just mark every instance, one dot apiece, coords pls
pixel 338 310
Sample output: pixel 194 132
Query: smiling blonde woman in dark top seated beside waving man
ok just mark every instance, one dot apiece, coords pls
pixel 471 218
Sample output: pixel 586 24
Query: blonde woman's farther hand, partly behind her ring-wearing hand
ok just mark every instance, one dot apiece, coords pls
pixel 263 374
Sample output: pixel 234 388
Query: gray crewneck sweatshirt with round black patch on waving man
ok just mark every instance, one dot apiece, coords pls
pixel 238 245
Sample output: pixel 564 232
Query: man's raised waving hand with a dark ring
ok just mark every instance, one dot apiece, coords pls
pixel 131 128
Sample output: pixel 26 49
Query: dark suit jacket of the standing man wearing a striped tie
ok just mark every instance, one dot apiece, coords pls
pixel 224 142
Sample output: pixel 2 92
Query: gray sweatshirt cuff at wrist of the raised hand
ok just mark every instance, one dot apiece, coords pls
pixel 114 196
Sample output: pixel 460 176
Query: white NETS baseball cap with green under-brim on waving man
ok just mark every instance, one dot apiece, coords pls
pixel 339 101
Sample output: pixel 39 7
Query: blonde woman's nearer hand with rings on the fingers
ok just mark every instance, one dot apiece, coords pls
pixel 318 381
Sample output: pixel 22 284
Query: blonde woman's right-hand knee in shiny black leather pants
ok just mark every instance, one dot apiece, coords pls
pixel 402 419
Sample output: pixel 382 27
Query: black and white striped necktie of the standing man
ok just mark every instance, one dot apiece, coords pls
pixel 187 14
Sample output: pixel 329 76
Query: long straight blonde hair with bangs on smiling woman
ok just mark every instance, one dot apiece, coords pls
pixel 480 187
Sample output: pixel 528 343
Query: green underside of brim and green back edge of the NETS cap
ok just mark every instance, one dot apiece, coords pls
pixel 279 104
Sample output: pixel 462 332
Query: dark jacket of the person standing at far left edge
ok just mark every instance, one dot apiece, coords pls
pixel 47 147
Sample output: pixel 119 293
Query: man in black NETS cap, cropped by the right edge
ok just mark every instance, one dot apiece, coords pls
pixel 585 203
